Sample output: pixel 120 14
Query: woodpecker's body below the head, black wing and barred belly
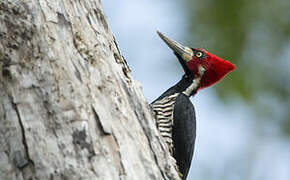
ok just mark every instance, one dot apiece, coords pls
pixel 181 123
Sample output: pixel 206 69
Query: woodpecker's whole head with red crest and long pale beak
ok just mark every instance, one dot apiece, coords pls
pixel 208 67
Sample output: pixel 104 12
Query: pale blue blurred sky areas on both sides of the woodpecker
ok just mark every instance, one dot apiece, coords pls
pixel 229 143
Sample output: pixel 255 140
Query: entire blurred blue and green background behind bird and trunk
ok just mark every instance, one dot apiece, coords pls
pixel 243 122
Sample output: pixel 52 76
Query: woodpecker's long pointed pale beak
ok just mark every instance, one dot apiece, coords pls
pixel 185 52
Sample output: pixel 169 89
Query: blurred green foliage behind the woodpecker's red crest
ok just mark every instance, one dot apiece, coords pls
pixel 255 35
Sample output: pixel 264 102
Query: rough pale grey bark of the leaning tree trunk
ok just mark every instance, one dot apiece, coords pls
pixel 69 108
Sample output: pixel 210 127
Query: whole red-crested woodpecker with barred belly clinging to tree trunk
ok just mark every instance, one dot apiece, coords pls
pixel 175 114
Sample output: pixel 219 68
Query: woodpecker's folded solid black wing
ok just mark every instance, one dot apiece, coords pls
pixel 183 133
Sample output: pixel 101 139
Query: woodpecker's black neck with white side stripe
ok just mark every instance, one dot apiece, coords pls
pixel 187 85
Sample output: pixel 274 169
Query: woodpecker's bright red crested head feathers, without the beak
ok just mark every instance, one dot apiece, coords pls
pixel 215 68
